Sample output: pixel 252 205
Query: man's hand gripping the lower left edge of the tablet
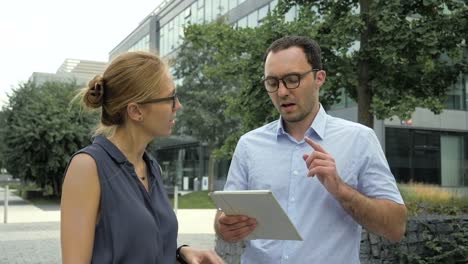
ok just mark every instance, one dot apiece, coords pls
pixel 234 228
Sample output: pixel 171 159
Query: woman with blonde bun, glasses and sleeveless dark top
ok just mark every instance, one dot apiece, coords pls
pixel 114 208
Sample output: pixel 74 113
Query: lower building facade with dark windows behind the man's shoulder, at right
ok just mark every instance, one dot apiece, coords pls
pixel 427 148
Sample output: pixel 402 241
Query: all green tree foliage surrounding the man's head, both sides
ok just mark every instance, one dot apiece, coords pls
pixel 391 57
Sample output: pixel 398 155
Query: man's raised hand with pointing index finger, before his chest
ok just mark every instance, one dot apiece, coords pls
pixel 322 165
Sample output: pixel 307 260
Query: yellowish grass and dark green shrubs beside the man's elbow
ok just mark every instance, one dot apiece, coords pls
pixel 445 242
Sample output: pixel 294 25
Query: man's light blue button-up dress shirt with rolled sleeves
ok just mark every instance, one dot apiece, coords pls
pixel 268 158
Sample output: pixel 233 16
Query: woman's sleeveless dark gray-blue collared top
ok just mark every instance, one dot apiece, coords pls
pixel 135 225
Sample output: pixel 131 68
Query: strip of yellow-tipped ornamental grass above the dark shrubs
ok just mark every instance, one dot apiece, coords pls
pixel 431 199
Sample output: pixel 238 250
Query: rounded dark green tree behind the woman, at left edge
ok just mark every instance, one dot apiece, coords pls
pixel 42 131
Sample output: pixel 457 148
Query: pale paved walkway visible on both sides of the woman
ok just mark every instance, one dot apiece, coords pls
pixel 32 234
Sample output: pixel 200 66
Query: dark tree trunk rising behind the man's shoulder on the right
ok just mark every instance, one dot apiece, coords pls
pixel 364 93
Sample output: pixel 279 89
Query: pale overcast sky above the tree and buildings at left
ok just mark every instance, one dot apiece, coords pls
pixel 37 36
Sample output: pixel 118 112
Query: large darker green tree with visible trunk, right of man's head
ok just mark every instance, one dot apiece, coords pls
pixel 390 57
